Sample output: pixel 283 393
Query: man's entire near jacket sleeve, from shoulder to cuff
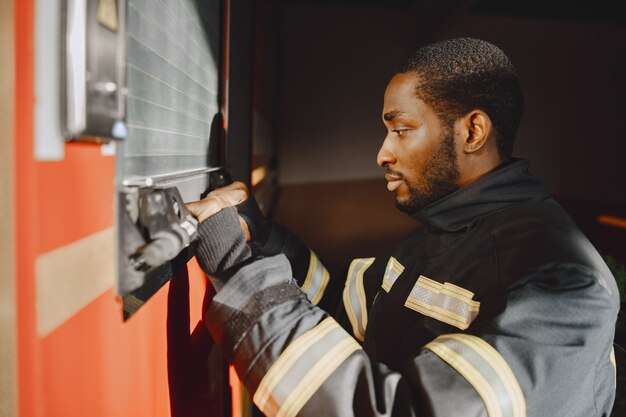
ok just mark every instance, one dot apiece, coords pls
pixel 528 360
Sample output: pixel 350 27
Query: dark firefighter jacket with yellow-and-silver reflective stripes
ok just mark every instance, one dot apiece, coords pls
pixel 498 306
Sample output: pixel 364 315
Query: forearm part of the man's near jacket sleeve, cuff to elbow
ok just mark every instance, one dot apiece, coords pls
pixel 292 356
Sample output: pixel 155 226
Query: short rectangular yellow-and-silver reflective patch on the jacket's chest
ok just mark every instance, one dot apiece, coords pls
pixel 444 302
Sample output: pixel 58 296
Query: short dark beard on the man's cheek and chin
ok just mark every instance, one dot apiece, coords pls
pixel 439 178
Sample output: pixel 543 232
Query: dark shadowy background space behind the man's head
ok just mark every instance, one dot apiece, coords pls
pixel 334 59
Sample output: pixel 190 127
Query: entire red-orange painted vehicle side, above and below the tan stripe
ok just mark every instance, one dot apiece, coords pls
pixel 93 364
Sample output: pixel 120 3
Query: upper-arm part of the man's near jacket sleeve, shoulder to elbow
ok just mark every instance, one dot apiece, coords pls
pixel 547 352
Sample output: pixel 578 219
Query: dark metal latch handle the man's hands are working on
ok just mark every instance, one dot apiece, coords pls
pixel 155 236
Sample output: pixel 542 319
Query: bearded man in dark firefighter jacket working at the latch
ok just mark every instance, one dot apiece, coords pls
pixel 497 306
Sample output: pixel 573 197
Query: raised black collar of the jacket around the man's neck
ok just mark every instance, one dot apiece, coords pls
pixel 509 185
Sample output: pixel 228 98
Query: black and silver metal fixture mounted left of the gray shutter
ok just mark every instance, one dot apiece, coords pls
pixel 93 70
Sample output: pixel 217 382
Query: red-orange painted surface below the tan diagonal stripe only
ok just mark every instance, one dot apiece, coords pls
pixel 96 365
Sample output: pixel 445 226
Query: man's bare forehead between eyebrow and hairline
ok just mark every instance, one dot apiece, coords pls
pixel 400 97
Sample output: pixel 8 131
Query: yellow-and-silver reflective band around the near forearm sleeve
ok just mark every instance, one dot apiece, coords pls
pixel 302 368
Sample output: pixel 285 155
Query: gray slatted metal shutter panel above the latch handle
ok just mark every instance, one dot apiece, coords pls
pixel 173 84
